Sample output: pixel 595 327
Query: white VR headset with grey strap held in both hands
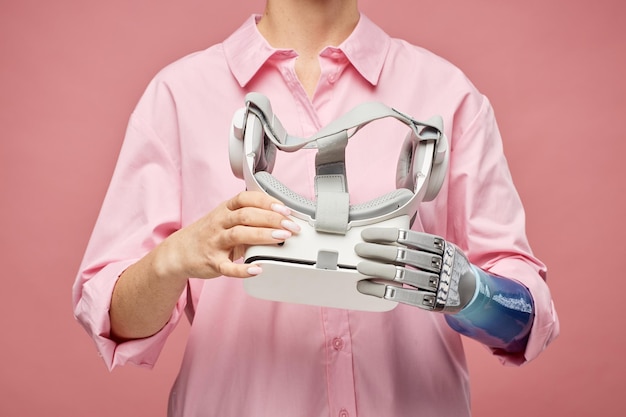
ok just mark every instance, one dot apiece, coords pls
pixel 318 265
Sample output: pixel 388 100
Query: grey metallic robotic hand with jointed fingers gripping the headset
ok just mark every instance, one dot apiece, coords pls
pixel 415 268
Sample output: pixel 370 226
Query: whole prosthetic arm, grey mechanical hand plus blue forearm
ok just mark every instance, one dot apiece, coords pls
pixel 431 273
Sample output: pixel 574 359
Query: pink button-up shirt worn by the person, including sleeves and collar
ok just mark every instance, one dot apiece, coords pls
pixel 249 357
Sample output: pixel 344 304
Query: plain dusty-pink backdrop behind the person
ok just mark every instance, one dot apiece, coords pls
pixel 72 70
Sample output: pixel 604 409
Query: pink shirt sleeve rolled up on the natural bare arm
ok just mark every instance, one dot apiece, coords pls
pixel 140 209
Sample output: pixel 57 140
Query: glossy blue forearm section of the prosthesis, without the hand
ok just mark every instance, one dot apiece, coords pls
pixel 499 316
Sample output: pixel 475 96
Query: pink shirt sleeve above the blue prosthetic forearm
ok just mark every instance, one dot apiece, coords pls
pixel 486 220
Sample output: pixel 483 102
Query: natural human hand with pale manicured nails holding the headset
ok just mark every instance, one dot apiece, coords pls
pixel 209 247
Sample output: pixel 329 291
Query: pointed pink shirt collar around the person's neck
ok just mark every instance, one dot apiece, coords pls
pixel 366 48
